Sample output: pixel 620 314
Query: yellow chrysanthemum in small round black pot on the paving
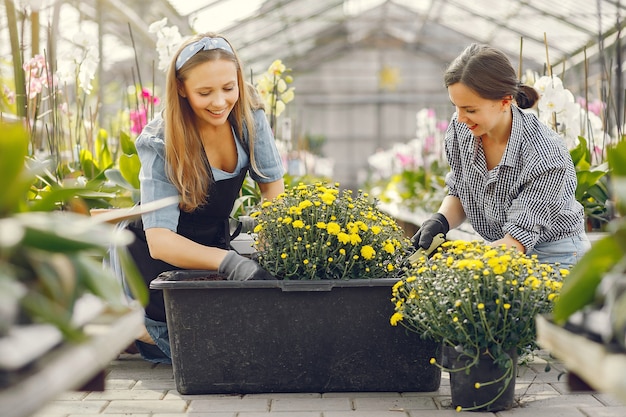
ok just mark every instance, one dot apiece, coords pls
pixel 480 302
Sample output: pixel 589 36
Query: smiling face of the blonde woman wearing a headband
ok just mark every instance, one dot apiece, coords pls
pixel 212 90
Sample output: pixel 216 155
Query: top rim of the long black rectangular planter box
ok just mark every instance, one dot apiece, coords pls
pixel 172 280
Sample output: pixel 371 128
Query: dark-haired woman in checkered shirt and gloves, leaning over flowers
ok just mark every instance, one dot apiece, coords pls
pixel 510 176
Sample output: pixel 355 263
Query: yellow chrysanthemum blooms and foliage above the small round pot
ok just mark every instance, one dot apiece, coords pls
pixel 477 296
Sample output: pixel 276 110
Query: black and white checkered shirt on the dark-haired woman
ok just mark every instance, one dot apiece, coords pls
pixel 529 194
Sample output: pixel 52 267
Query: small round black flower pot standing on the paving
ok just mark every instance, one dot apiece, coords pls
pixel 484 386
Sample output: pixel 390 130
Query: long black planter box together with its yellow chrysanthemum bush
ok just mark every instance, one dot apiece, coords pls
pixel 321 326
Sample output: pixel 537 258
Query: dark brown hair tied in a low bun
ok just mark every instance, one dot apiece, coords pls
pixel 490 74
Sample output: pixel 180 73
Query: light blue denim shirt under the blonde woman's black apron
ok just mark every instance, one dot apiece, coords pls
pixel 156 185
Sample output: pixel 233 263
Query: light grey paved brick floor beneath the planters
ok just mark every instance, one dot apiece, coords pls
pixel 138 388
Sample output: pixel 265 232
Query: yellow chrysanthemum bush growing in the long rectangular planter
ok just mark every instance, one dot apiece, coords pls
pixel 319 232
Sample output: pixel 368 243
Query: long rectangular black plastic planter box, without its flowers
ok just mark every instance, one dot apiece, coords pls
pixel 291 336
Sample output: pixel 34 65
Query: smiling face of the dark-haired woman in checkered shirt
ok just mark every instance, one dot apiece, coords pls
pixel 481 115
